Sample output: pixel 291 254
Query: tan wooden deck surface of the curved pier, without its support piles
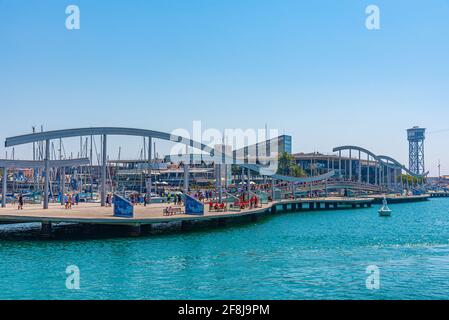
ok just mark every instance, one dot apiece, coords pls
pixel 93 213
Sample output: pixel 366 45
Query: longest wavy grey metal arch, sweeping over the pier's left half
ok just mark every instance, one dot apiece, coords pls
pixel 68 133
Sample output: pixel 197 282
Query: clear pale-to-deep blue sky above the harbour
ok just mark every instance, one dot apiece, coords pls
pixel 308 68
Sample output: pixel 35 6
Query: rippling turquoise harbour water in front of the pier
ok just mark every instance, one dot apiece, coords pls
pixel 313 255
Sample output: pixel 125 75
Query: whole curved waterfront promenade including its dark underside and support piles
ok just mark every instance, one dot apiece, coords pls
pixel 90 214
